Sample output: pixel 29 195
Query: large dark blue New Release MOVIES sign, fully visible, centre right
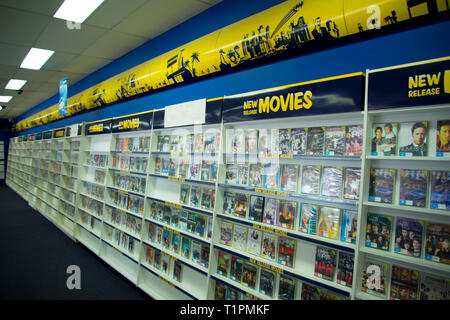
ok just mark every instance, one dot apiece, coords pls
pixel 331 95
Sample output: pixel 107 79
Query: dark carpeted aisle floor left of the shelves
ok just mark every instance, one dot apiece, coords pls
pixel 35 255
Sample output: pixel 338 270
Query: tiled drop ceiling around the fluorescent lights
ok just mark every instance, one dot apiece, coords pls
pixel 115 28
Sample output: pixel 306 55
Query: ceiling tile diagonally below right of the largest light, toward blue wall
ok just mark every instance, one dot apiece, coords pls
pixel 113 45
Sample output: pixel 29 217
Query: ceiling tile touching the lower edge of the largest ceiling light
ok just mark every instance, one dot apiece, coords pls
pixel 58 37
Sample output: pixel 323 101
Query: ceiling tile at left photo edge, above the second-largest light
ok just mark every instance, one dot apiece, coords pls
pixel 21 28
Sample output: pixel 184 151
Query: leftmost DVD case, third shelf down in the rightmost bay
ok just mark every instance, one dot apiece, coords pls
pixel 378 231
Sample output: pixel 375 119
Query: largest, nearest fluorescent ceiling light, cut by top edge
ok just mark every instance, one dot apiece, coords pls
pixel 77 10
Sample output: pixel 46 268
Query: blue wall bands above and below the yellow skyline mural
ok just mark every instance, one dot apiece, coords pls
pixel 421 43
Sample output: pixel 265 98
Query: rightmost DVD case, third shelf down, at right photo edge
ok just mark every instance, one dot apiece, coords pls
pixel 436 244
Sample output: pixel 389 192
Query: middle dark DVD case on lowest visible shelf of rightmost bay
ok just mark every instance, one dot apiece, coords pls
pixel 404 284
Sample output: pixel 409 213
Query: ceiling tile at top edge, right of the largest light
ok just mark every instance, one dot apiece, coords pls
pixel 158 16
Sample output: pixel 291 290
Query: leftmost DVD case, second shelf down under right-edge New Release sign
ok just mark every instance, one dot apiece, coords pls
pixel 381 187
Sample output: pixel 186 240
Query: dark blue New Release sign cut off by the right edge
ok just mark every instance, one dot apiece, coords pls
pixel 425 83
